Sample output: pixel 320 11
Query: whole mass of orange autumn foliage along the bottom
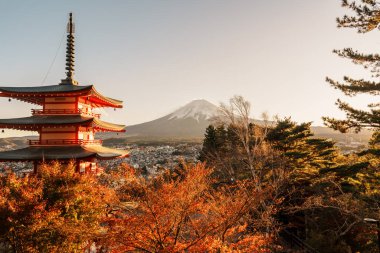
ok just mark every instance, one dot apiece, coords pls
pixel 59 210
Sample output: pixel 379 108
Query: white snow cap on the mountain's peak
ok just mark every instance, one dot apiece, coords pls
pixel 197 109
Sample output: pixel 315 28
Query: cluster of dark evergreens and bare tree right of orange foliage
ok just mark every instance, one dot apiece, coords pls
pixel 320 195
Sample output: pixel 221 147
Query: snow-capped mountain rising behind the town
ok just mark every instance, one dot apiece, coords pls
pixel 190 120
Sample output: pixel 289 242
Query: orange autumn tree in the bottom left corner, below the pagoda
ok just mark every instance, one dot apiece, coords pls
pixel 56 210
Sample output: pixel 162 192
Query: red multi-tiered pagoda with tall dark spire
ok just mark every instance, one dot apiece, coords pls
pixel 66 121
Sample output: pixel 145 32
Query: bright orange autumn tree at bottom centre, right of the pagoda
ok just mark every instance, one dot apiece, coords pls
pixel 181 212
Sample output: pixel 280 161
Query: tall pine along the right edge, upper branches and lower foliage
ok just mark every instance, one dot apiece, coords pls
pixel 359 175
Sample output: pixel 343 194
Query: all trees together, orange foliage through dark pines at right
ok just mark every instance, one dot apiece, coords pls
pixel 258 187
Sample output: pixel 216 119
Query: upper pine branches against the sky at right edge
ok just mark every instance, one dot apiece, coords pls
pixel 365 19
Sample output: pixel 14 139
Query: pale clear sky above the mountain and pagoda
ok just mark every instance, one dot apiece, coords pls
pixel 158 55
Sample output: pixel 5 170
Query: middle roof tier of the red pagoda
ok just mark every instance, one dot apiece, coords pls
pixel 33 123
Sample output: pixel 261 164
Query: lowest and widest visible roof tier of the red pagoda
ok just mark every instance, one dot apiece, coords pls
pixel 60 153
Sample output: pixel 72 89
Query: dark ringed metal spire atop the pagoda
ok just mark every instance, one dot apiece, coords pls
pixel 70 53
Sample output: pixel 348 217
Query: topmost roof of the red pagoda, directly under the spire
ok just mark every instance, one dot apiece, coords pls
pixel 36 94
